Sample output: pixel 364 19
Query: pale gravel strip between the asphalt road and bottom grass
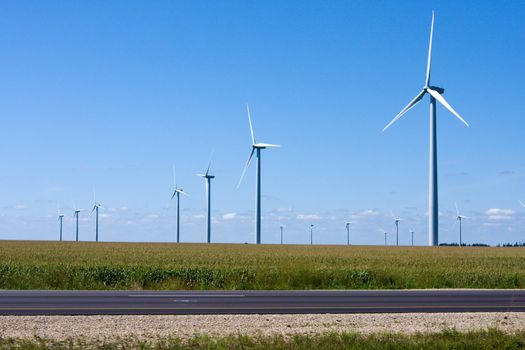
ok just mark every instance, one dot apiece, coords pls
pixel 93 328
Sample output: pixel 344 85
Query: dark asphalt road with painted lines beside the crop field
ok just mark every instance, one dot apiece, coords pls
pixel 256 302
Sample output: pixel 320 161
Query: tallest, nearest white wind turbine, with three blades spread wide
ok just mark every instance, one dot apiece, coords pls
pixel 435 94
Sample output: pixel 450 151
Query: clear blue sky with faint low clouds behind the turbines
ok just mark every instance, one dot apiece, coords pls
pixel 109 95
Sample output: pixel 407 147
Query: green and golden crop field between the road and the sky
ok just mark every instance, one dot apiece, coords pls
pixel 70 265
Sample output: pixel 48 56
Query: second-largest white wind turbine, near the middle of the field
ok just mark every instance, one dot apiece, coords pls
pixel 256 148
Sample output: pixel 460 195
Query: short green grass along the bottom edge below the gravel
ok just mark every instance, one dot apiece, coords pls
pixel 480 340
